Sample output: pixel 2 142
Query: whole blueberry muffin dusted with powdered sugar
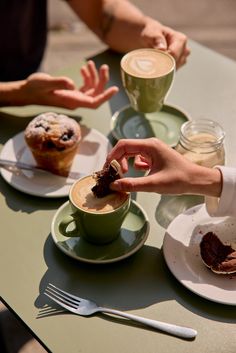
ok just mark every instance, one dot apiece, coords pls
pixel 53 140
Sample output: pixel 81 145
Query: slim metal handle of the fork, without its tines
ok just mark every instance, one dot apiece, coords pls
pixel 180 331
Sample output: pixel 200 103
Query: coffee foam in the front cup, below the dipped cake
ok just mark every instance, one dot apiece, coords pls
pixel 83 197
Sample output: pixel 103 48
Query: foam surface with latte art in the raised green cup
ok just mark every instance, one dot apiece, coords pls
pixel 147 63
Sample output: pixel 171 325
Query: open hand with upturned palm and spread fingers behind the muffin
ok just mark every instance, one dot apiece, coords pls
pixel 44 89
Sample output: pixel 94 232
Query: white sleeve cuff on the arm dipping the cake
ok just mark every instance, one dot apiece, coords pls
pixel 226 204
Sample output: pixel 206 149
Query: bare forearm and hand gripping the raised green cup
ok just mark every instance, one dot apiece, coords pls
pixel 123 27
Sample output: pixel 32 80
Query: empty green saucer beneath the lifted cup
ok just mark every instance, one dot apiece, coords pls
pixel 165 124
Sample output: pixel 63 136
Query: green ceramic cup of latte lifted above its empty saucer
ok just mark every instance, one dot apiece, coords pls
pixel 147 75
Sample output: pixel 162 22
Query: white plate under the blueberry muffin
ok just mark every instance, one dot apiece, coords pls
pixel 91 156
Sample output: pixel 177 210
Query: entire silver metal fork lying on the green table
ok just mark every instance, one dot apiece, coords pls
pixel 86 307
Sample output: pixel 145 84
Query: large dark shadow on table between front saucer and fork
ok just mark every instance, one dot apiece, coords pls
pixel 137 282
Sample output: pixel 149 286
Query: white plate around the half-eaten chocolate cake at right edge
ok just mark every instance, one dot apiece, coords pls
pixel 182 254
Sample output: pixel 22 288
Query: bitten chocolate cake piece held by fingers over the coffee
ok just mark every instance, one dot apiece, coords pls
pixel 105 177
